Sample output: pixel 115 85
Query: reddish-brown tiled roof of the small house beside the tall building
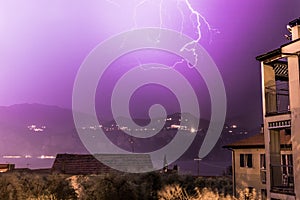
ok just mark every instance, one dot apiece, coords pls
pixel 257 141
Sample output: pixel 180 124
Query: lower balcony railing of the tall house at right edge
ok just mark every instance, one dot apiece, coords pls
pixel 282 179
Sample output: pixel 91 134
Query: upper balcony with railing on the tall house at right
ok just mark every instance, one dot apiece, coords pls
pixel 277 98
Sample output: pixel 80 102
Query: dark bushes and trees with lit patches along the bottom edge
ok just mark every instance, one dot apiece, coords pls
pixel 150 186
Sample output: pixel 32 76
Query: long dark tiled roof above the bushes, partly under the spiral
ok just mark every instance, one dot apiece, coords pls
pixel 89 164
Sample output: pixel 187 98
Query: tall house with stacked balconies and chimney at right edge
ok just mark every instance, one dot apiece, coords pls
pixel 280 72
